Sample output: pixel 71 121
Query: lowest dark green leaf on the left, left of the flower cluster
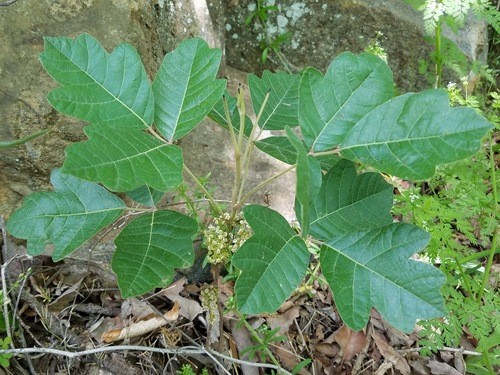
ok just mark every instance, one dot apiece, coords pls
pixel 149 249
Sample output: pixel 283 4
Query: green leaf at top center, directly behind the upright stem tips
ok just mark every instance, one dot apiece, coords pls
pixel 281 108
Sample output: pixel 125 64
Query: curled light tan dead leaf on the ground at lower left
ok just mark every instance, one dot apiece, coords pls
pixel 141 327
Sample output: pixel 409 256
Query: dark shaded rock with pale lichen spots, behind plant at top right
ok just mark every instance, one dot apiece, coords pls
pixel 322 29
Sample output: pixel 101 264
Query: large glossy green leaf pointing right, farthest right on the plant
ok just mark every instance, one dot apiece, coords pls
pixel 411 134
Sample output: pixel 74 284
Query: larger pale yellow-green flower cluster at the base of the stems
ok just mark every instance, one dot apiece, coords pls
pixel 224 237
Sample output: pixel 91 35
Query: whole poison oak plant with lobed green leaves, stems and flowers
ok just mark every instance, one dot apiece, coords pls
pixel 349 115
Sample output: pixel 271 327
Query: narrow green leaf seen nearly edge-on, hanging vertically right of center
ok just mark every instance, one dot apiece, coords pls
pixel 308 176
